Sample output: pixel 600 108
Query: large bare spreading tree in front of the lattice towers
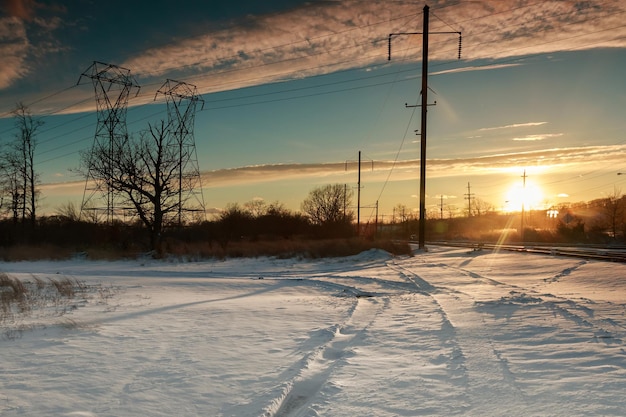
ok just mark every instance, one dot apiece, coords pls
pixel 144 174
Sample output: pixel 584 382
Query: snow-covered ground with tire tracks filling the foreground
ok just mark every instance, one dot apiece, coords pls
pixel 447 332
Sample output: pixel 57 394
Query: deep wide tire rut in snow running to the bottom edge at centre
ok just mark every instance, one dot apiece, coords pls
pixel 300 392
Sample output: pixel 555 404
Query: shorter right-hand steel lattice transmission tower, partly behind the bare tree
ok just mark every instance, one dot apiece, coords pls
pixel 182 99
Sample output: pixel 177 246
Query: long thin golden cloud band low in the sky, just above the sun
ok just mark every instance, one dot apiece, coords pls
pixel 571 161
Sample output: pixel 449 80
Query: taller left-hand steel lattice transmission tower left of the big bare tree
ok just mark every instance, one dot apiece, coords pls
pixel 112 85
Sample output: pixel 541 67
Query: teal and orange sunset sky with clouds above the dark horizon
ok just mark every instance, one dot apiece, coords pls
pixel 293 90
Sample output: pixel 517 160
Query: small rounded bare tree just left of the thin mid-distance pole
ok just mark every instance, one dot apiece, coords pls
pixel 328 205
